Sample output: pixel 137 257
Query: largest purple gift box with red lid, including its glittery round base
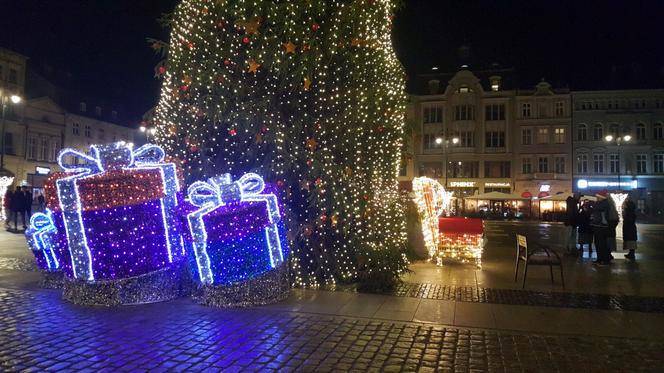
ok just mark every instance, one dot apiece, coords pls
pixel 117 206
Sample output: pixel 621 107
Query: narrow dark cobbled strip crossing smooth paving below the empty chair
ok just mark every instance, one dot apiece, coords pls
pixel 532 298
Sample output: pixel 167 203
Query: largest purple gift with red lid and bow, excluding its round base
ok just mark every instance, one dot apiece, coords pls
pixel 127 232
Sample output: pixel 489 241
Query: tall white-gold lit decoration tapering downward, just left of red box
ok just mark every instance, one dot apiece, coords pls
pixel 431 199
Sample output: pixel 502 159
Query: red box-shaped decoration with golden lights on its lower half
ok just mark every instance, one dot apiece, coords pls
pixel 460 238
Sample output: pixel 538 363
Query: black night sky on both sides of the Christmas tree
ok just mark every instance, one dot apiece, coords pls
pixel 580 44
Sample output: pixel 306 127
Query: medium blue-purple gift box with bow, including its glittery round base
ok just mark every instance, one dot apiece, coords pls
pixel 238 241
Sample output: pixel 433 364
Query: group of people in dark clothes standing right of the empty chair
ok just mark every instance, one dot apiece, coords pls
pixel 595 222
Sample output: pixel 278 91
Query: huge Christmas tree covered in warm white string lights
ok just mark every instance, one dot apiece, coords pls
pixel 308 94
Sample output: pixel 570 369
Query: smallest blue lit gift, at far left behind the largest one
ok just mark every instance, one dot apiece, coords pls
pixel 40 240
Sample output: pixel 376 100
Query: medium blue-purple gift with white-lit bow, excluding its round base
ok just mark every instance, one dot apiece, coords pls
pixel 236 229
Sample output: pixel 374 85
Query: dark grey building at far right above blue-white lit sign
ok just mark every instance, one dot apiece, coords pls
pixel 631 158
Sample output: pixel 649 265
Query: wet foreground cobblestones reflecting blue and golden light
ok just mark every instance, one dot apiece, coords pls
pixel 40 332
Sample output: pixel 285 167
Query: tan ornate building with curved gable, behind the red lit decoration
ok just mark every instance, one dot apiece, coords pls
pixel 476 134
